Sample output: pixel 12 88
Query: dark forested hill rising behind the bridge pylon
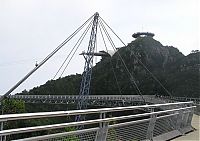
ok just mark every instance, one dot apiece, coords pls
pixel 179 74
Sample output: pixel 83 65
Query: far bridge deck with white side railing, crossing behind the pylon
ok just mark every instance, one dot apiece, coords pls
pixel 115 100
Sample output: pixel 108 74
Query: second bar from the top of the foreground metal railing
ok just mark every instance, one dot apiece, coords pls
pixel 62 125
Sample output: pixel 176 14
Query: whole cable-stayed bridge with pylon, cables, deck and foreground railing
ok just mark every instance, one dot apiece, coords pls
pixel 123 118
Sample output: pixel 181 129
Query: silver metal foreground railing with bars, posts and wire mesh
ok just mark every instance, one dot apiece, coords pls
pixel 111 124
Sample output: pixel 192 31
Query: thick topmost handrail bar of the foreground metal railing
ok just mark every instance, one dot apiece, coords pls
pixel 79 112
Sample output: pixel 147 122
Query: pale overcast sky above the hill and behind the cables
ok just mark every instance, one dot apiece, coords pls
pixel 31 29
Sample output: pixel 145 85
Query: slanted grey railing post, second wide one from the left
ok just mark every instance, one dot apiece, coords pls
pixel 151 126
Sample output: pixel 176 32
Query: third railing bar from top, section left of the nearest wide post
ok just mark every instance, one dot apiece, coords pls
pixel 58 135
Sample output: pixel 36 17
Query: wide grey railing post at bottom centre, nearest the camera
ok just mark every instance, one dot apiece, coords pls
pixel 103 129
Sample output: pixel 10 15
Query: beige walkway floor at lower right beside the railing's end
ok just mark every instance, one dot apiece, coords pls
pixel 192 136
